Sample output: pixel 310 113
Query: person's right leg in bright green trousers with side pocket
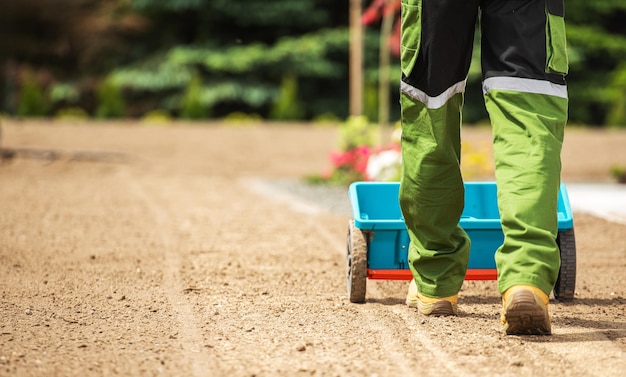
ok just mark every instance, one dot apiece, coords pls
pixel 524 66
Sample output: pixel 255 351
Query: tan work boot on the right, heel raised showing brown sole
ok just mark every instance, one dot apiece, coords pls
pixel 525 311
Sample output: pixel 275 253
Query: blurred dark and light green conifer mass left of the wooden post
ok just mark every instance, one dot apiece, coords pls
pixel 242 51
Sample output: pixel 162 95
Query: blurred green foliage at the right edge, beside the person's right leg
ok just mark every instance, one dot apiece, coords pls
pixel 596 35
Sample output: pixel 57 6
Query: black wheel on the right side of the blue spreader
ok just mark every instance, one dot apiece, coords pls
pixel 566 282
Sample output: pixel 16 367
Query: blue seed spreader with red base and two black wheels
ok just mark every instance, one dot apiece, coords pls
pixel 378 240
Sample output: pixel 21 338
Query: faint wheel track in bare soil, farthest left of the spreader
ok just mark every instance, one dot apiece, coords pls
pixel 189 335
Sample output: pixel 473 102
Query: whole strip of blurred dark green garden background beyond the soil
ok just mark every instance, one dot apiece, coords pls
pixel 253 59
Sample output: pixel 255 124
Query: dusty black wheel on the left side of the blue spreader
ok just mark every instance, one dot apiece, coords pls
pixel 356 263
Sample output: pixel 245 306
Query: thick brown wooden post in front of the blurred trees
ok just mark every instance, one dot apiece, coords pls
pixel 356 58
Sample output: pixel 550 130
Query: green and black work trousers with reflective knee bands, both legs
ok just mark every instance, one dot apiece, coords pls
pixel 526 97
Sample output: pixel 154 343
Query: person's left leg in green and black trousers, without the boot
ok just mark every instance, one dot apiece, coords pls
pixel 437 38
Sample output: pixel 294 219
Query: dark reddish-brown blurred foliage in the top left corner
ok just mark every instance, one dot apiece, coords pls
pixel 67 44
